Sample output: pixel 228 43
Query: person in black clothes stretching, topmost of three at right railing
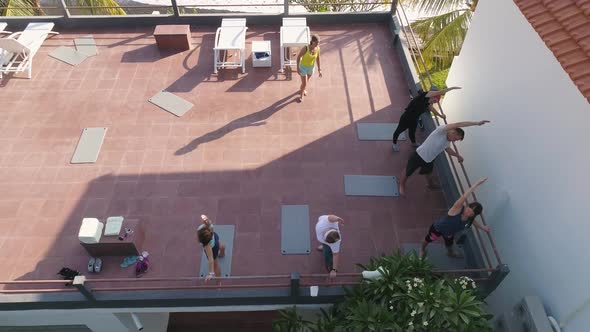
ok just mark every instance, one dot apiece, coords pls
pixel 420 104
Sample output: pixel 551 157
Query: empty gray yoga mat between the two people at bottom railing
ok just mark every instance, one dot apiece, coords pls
pixel 295 237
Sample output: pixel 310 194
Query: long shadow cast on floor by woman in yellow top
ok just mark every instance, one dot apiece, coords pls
pixel 250 120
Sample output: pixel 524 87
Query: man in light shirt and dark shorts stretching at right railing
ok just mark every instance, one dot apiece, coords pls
pixel 437 142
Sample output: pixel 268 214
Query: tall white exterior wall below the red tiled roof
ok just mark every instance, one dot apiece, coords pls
pixel 535 155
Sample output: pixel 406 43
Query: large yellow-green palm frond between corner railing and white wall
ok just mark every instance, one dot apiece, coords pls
pixel 443 36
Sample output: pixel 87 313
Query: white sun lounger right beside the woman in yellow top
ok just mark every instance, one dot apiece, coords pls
pixel 294 33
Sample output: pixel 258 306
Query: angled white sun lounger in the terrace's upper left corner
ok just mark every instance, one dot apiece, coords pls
pixel 18 50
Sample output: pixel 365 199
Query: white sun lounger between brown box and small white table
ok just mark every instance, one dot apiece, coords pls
pixel 230 36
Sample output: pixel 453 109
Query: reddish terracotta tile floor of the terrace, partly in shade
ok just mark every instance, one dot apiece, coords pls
pixel 244 149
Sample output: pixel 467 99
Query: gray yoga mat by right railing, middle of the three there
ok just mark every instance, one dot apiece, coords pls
pixel 370 185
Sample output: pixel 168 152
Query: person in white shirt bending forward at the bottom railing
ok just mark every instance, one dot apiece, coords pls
pixel 328 234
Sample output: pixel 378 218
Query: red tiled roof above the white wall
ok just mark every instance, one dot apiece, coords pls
pixel 564 26
